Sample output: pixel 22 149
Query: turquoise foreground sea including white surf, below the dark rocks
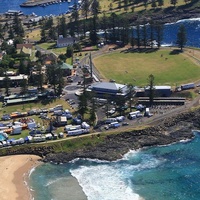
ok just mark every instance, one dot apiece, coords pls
pixel 169 172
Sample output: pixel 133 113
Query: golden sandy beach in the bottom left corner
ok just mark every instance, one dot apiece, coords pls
pixel 14 170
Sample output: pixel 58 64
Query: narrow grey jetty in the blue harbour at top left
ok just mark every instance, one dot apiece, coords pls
pixel 43 3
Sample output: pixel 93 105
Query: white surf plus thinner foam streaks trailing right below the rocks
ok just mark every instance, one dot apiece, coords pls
pixel 111 180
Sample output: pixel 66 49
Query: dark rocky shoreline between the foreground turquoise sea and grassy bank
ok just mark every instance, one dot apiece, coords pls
pixel 172 130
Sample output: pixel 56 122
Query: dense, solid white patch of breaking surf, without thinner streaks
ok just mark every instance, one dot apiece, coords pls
pixel 103 182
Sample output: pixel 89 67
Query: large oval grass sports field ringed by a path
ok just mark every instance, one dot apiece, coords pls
pixel 168 69
